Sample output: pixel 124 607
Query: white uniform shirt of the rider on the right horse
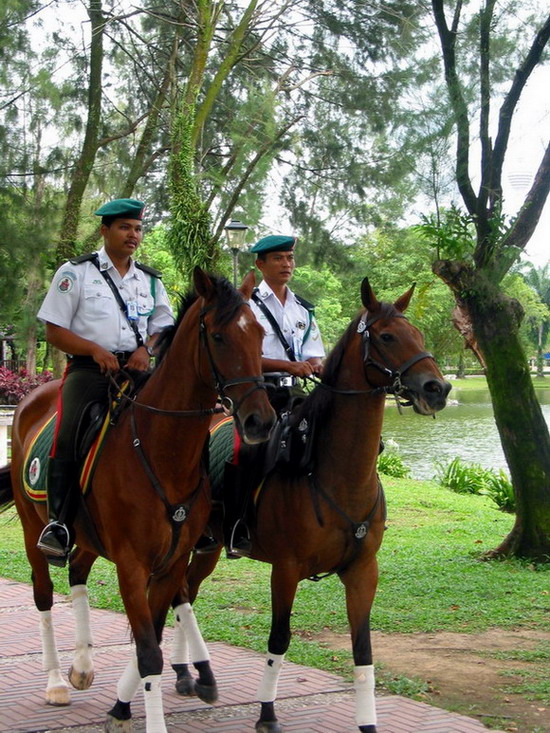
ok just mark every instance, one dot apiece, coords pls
pixel 294 322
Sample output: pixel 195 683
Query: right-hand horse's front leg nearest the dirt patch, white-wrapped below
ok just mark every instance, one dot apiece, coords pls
pixel 360 584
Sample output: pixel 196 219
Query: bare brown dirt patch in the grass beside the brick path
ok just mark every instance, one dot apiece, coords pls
pixel 460 672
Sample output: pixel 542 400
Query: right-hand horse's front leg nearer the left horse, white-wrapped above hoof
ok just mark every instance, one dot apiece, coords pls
pixel 283 591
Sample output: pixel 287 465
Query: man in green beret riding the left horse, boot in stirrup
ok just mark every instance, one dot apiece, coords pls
pixel 105 311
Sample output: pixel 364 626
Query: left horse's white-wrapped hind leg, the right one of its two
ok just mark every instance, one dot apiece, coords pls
pixel 81 671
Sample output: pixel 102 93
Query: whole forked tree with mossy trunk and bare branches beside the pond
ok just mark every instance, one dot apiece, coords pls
pixel 487 317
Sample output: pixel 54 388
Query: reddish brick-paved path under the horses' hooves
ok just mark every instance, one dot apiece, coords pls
pixel 310 701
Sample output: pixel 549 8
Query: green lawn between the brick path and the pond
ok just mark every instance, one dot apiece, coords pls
pixel 431 579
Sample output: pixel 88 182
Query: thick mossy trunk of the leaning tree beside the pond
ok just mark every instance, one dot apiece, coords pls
pixel 495 320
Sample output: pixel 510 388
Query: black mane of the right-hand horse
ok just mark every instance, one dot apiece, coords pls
pixel 317 404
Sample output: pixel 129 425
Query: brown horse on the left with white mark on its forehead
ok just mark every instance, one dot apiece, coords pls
pixel 150 497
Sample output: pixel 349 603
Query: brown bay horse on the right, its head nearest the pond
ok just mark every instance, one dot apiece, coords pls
pixel 330 519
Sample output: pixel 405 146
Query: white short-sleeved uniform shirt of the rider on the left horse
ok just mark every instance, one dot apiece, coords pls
pixel 80 299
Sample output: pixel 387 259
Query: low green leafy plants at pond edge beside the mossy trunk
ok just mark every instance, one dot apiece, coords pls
pixel 471 478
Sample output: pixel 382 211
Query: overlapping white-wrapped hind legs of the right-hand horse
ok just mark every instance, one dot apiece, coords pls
pixel 188 641
